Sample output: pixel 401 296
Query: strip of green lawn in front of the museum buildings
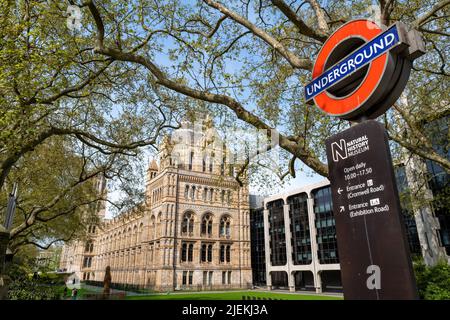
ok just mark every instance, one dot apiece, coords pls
pixel 235 295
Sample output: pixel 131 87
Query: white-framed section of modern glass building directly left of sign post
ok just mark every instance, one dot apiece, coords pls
pixel 300 238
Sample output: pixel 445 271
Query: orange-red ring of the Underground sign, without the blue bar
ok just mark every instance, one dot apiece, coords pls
pixel 337 106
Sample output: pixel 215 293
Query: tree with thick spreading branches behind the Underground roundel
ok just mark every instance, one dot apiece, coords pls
pixel 255 57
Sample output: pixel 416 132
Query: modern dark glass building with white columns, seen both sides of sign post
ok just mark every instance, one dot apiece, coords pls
pixel 298 230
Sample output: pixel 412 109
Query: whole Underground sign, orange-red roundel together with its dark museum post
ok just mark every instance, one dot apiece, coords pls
pixel 359 73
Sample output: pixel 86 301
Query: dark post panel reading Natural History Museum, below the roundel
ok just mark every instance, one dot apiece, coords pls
pixel 373 249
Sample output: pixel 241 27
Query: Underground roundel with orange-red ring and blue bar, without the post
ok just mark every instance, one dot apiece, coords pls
pixel 362 69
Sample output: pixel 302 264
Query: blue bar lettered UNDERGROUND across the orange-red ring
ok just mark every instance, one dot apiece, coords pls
pixel 356 60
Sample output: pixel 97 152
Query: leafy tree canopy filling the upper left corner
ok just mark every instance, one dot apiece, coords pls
pixel 52 84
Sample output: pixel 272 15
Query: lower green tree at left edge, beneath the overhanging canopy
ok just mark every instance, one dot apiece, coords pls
pixel 56 197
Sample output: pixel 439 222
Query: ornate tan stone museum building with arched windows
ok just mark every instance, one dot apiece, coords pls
pixel 192 231
